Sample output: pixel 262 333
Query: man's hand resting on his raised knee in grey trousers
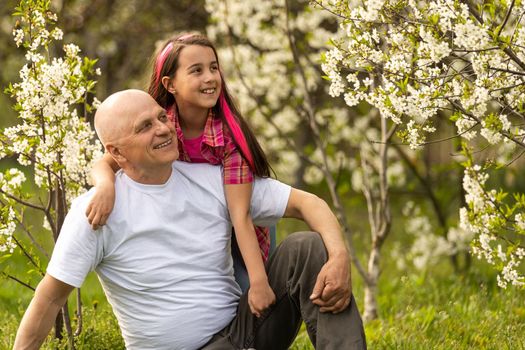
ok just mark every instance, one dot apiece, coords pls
pixel 333 287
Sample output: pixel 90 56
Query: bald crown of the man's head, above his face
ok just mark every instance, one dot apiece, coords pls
pixel 113 119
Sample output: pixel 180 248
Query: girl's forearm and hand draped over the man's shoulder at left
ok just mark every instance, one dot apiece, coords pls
pixel 101 204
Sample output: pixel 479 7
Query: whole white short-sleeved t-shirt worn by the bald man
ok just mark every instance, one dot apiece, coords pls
pixel 163 257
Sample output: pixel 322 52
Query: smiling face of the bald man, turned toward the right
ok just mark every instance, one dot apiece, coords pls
pixel 149 140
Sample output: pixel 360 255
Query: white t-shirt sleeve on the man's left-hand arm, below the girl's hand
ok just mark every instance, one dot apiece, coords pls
pixel 78 249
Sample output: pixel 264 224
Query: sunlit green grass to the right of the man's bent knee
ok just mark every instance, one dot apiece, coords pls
pixel 443 311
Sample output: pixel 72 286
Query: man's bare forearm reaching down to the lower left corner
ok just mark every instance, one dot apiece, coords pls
pixel 41 314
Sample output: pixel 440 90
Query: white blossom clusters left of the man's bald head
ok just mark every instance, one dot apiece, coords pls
pixel 50 136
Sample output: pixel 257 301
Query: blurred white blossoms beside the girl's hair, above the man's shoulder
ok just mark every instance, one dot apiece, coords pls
pixel 258 61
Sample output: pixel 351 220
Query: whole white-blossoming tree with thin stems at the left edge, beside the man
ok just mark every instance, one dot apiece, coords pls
pixel 52 139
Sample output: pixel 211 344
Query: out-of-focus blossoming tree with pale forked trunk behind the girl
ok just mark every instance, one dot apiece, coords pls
pixel 271 54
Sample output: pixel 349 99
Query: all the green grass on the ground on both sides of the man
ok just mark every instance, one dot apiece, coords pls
pixel 438 309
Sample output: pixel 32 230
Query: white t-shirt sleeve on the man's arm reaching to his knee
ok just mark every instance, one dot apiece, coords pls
pixel 269 201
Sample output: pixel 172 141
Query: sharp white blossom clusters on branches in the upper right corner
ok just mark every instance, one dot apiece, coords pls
pixel 424 64
